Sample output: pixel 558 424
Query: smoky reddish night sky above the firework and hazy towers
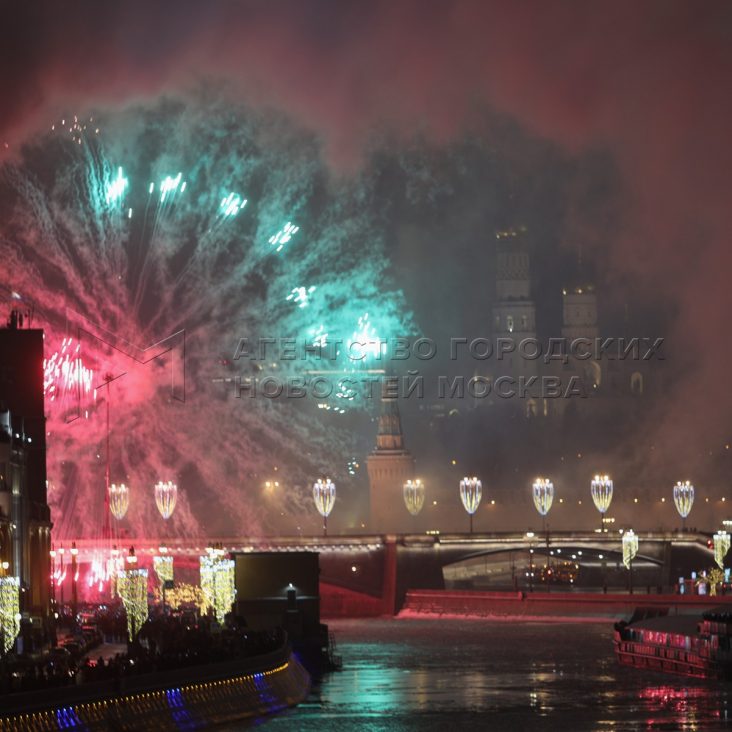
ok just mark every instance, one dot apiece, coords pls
pixel 603 128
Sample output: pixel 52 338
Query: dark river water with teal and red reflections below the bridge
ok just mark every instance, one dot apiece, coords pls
pixel 449 675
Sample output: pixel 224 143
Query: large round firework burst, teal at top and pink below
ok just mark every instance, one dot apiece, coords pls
pixel 193 257
